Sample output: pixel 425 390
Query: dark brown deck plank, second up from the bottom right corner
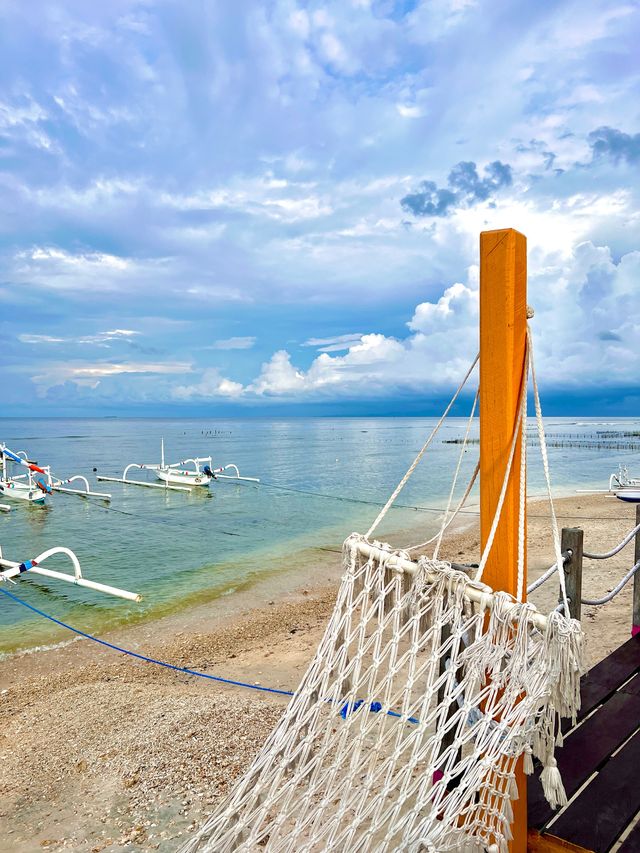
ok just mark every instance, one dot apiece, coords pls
pixel 601 812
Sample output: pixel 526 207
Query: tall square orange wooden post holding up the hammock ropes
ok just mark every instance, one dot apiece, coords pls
pixel 503 325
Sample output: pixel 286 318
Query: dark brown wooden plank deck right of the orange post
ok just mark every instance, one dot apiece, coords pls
pixel 600 766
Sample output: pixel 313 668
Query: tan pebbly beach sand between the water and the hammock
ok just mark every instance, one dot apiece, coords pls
pixel 101 752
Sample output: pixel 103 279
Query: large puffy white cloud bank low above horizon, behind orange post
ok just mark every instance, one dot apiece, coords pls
pixel 576 299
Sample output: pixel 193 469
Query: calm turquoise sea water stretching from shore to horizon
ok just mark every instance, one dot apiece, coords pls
pixel 177 548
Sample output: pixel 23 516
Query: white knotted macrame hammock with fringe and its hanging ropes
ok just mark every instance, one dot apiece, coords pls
pixel 405 730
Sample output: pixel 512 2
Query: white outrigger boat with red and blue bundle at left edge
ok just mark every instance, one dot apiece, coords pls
pixel 33 488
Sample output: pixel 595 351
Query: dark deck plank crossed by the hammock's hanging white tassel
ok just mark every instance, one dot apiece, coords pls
pixel 586 750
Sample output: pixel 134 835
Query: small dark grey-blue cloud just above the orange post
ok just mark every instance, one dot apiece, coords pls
pixel 465 188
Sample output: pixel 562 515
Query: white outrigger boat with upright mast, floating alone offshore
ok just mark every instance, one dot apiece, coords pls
pixel 180 476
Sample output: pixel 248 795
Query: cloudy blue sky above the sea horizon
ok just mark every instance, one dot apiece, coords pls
pixel 273 206
